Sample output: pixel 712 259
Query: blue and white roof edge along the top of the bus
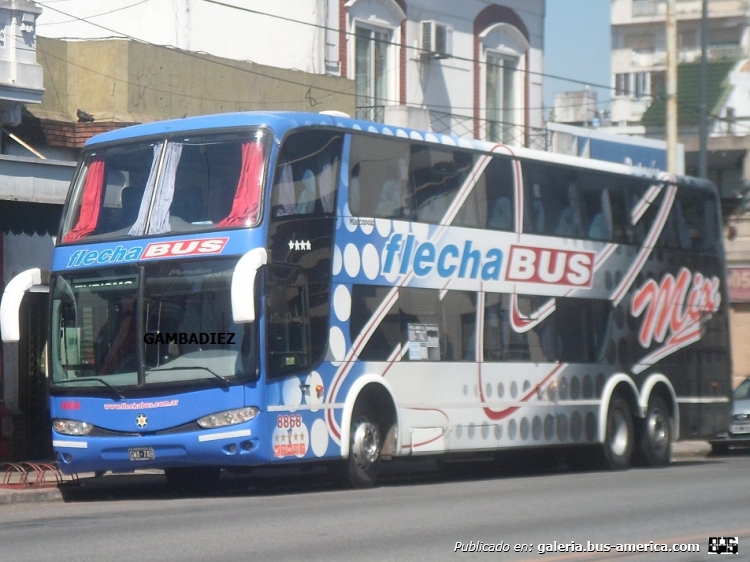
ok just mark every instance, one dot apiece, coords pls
pixel 282 121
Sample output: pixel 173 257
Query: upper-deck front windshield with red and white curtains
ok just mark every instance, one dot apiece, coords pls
pixel 184 184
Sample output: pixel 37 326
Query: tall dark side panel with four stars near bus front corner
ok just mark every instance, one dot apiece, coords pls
pixel 302 224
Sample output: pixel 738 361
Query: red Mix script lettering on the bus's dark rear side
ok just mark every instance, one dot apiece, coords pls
pixel 674 308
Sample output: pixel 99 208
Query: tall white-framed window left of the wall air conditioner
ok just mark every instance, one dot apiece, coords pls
pixel 370 71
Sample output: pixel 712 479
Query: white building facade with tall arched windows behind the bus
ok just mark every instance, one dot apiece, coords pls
pixel 471 68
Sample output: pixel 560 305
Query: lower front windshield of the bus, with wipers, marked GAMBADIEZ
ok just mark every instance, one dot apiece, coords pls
pixel 186 332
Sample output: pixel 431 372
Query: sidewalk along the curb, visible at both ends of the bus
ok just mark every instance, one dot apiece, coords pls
pixel 47 489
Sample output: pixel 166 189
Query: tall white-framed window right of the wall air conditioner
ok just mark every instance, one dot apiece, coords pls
pixel 501 99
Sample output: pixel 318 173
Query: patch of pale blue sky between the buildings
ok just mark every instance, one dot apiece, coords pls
pixel 577 45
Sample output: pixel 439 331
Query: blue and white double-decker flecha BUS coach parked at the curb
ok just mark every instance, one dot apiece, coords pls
pixel 253 289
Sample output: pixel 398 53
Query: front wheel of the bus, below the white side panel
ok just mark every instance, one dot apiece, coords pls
pixel 362 466
